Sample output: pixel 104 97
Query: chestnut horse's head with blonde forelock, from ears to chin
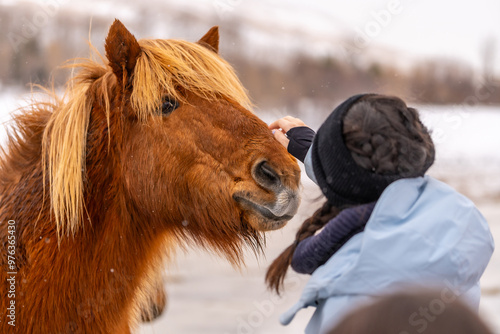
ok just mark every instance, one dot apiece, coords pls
pixel 192 157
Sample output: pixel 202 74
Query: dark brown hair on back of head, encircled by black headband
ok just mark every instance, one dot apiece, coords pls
pixel 387 137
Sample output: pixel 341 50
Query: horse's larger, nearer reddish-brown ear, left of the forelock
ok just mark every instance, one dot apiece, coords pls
pixel 122 50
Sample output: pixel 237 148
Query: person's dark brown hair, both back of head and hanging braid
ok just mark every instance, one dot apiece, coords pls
pixel 384 136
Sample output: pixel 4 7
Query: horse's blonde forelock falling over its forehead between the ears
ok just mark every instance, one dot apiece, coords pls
pixel 166 65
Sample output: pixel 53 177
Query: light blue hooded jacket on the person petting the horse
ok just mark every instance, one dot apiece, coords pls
pixel 421 234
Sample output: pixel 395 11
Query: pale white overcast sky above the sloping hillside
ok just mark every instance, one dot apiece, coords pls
pixel 443 28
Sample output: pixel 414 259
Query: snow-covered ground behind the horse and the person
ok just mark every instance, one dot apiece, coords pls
pixel 206 295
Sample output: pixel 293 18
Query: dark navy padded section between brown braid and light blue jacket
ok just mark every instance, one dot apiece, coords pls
pixel 316 250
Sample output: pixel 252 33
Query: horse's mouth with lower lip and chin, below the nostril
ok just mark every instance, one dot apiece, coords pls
pixel 266 219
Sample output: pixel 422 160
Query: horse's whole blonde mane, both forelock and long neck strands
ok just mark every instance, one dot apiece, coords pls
pixel 162 67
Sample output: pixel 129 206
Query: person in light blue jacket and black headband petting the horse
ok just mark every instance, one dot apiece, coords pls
pixel 386 225
